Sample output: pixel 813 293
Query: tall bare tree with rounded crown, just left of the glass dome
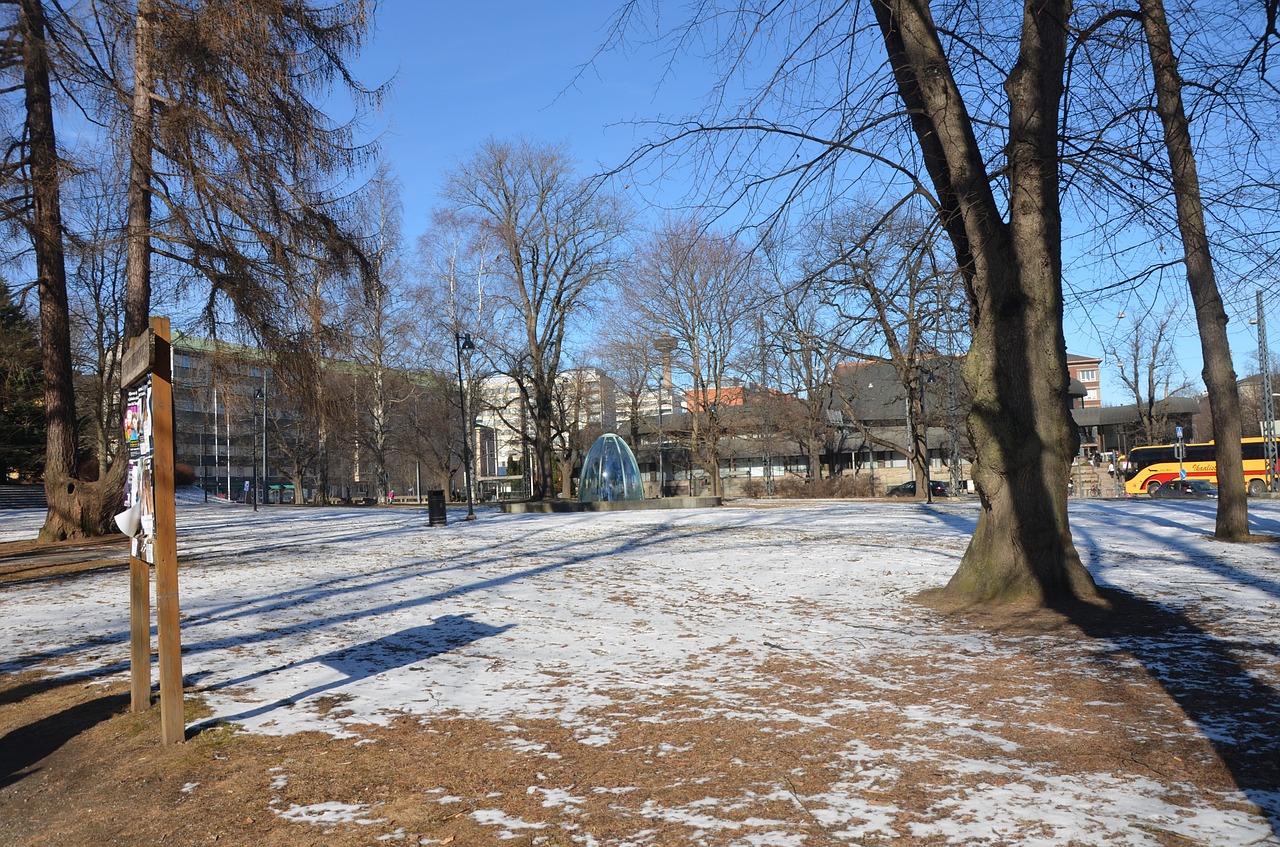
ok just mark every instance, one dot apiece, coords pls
pixel 557 239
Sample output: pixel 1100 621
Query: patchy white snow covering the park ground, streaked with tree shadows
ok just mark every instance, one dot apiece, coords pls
pixel 556 616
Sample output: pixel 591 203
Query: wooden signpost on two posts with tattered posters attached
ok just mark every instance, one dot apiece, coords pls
pixel 149 520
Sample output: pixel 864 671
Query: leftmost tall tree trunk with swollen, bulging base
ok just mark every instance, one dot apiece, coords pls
pixel 75 509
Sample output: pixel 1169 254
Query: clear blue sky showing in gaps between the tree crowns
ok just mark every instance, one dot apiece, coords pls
pixel 469 71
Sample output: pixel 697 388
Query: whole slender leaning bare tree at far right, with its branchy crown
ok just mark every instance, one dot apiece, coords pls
pixel 1142 181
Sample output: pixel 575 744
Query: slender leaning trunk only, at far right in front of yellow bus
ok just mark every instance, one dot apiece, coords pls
pixel 1233 510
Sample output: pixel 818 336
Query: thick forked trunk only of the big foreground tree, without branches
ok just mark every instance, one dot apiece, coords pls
pixel 1022 550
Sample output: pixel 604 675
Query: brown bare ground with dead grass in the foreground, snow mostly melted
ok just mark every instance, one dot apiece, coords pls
pixel 79 770
